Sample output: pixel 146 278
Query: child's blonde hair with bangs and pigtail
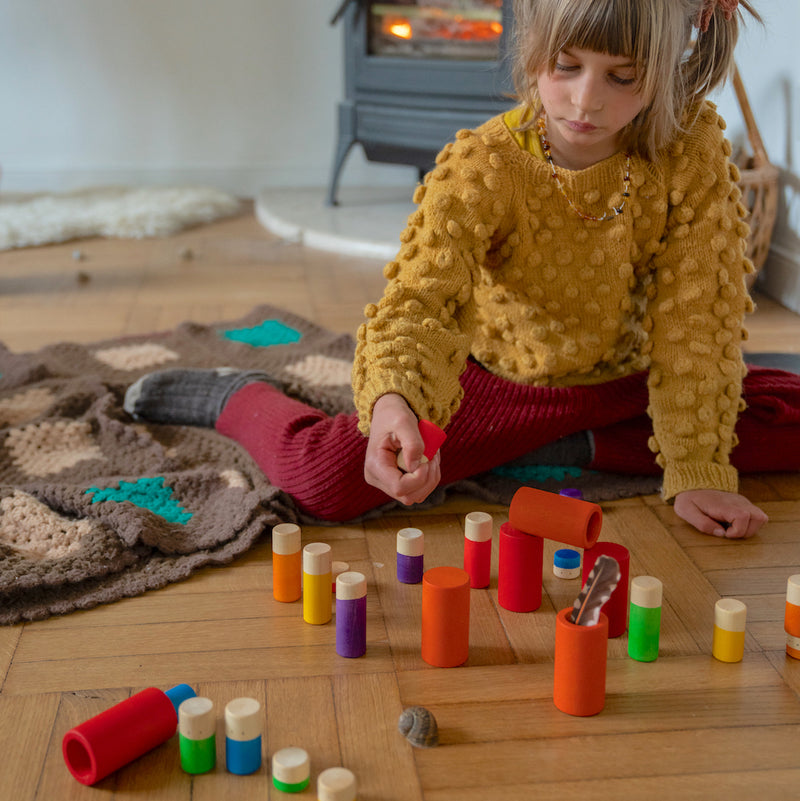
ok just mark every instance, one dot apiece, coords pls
pixel 675 69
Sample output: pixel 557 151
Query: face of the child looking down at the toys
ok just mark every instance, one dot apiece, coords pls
pixel 589 98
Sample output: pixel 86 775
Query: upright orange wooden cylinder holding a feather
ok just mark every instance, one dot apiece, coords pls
pixel 579 678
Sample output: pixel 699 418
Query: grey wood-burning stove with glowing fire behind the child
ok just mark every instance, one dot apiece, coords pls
pixel 416 71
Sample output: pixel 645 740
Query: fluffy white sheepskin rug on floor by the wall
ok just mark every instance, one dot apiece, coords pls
pixel 109 212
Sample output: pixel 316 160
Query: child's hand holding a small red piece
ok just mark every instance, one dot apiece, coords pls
pixel 394 428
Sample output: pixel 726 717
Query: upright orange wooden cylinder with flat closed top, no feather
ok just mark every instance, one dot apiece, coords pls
pixel 445 616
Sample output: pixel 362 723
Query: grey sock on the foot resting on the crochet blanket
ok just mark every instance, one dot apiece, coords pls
pixel 187 396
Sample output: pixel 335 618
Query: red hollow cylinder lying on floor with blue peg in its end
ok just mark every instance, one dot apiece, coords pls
pixel 126 731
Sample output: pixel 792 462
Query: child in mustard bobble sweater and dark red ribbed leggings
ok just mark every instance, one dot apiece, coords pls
pixel 573 278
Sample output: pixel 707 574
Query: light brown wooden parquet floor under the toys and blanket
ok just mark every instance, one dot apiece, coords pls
pixel 683 727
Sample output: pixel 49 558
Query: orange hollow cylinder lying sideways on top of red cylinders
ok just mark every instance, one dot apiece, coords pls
pixel 556 517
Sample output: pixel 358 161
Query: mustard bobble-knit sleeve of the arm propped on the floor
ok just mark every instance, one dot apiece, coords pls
pixel 696 311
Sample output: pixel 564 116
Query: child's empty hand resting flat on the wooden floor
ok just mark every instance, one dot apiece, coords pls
pixel 721 514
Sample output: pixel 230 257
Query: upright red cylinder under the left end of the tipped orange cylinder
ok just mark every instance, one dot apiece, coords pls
pixel 519 580
